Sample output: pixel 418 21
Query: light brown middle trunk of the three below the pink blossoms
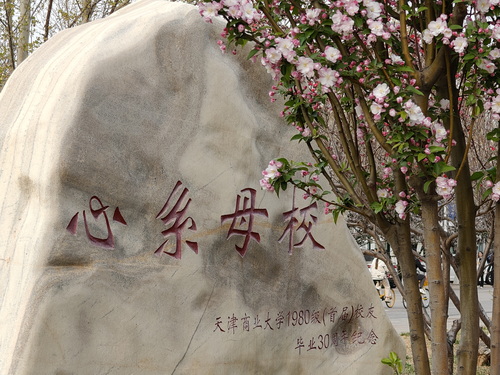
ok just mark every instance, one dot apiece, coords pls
pixel 439 346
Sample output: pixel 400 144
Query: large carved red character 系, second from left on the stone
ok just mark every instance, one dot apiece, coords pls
pixel 174 218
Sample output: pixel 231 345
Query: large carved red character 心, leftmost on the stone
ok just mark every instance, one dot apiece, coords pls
pixel 100 210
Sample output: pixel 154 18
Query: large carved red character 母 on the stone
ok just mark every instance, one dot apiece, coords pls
pixel 242 217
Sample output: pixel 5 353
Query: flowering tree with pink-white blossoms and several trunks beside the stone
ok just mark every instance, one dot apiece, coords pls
pixel 387 96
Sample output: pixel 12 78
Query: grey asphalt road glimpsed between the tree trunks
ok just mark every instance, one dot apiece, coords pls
pixel 398 317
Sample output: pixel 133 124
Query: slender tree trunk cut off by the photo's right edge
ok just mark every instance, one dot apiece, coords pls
pixel 495 321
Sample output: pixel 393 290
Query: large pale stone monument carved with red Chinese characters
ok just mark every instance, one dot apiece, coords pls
pixel 134 238
